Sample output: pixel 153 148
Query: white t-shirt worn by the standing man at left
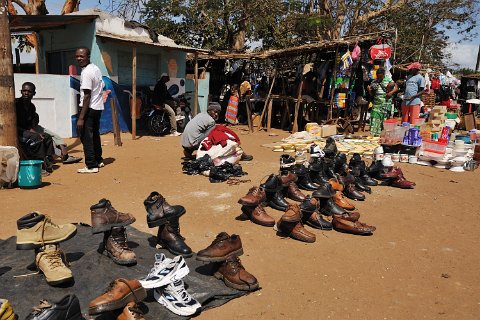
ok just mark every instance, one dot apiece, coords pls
pixel 91 79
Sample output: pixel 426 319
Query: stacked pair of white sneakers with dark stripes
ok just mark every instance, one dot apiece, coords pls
pixel 165 278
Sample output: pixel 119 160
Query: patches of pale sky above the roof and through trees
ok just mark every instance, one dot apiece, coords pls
pixel 463 54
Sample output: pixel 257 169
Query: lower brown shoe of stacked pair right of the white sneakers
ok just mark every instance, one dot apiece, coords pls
pixel 235 276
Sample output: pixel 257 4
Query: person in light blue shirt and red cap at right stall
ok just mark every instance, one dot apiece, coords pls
pixel 414 88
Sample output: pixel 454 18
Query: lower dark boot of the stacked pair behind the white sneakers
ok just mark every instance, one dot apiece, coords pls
pixel 169 237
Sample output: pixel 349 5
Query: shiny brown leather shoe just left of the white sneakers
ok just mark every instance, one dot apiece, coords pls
pixel 119 293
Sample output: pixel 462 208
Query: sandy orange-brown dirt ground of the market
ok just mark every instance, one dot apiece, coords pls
pixel 421 263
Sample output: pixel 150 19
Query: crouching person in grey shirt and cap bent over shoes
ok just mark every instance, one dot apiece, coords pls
pixel 198 129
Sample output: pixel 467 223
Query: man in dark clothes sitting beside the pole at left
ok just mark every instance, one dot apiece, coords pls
pixel 35 146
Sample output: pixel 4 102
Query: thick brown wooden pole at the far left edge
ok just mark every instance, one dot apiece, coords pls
pixel 8 120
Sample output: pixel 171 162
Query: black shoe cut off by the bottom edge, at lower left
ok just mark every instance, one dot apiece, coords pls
pixel 68 308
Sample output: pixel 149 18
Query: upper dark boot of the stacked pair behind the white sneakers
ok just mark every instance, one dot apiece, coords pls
pixel 159 211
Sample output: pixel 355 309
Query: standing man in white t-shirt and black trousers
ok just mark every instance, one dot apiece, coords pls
pixel 91 104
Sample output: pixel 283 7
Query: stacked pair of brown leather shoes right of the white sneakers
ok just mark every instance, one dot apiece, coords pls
pixel 225 250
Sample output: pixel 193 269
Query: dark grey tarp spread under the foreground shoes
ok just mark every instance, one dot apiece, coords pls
pixel 93 272
